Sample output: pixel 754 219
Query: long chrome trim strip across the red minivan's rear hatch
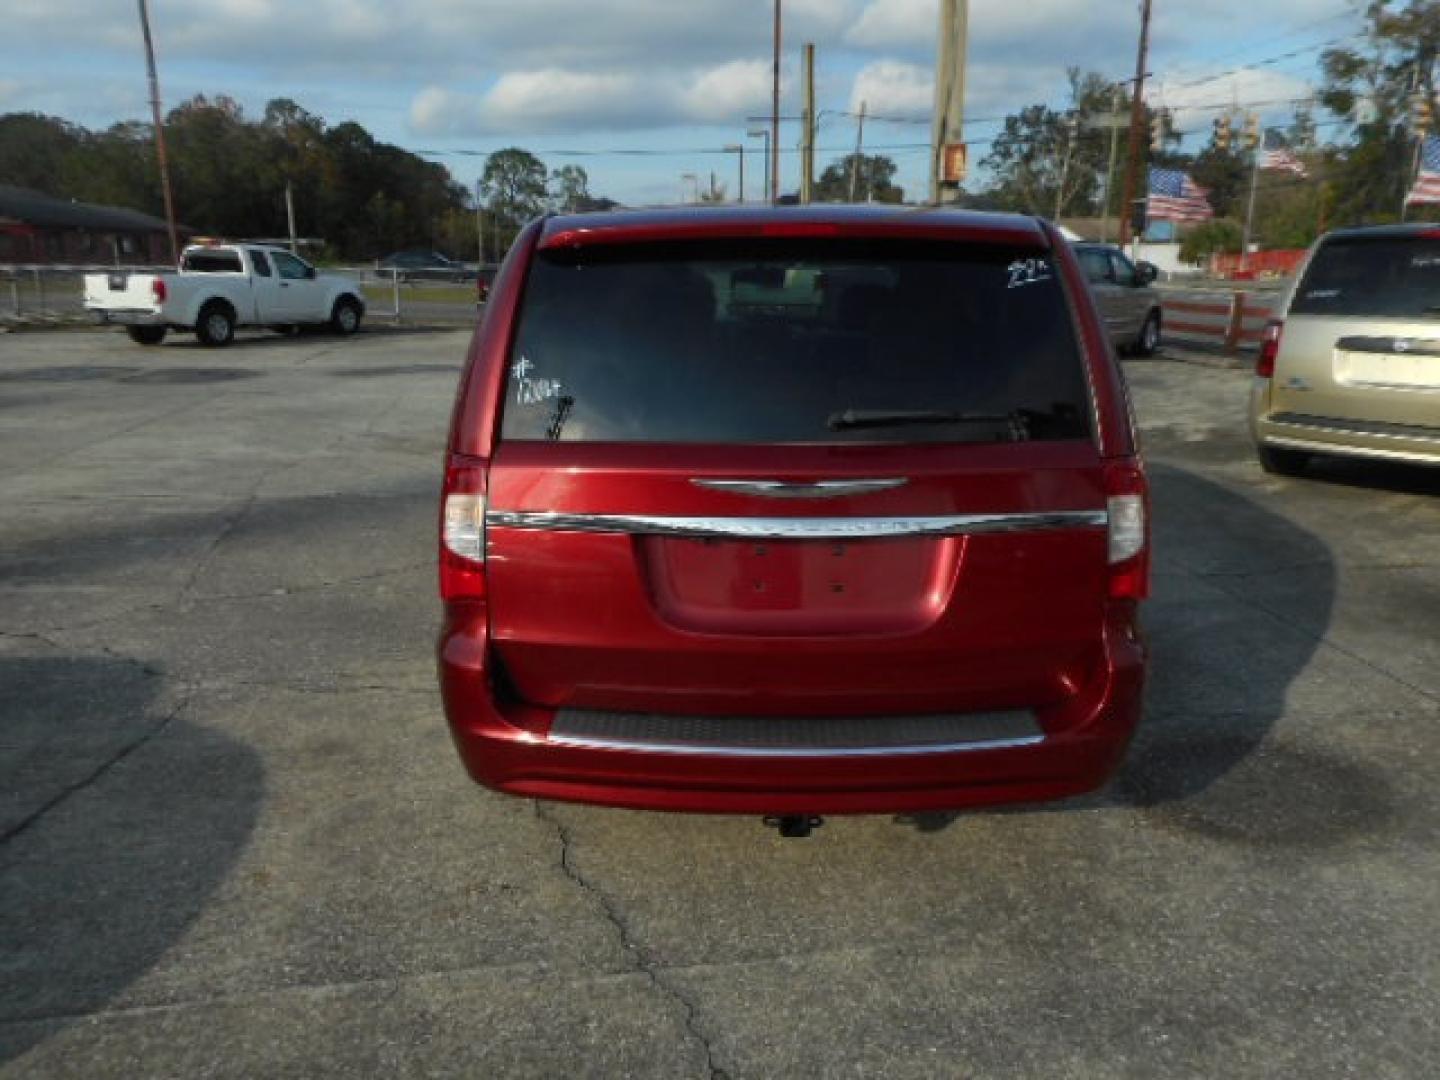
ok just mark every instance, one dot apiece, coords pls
pixel 797 528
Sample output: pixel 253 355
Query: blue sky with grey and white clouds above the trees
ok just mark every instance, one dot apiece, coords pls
pixel 676 77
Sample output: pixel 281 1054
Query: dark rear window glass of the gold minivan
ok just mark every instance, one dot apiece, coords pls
pixel 1385 279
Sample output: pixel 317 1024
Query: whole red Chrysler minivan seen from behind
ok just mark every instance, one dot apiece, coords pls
pixel 793 512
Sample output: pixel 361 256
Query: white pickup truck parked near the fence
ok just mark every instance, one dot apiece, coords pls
pixel 222 287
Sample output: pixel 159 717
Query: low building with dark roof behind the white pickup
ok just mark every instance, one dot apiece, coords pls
pixel 38 228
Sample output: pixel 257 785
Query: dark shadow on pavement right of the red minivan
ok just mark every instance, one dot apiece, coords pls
pixel 1220 675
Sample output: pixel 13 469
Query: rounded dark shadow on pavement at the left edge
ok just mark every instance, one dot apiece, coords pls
pixel 122 819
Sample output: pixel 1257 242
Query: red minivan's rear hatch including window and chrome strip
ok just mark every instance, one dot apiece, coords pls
pixel 796 474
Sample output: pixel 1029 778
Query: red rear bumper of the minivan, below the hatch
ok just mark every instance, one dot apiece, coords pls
pixel 508 748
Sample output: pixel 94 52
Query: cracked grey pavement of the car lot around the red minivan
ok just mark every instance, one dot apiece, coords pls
pixel 235 840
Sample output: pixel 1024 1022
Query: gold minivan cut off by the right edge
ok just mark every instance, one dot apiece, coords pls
pixel 1351 364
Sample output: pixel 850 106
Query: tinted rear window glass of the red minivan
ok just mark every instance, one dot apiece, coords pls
pixel 796 342
